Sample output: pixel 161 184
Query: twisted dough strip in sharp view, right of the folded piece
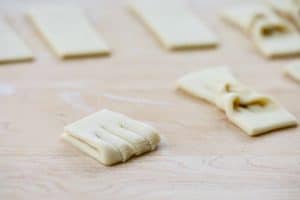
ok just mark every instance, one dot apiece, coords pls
pixel 253 112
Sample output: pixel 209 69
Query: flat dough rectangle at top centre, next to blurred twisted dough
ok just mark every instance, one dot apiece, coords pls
pixel 175 26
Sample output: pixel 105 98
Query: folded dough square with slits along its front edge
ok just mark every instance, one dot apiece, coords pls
pixel 111 137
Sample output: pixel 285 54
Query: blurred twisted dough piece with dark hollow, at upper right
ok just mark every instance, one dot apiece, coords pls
pixel 273 36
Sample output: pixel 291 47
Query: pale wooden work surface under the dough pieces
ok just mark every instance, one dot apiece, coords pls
pixel 202 155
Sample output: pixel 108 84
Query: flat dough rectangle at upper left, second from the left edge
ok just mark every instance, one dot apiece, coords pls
pixel 67 31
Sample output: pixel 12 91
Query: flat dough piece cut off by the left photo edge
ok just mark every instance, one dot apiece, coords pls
pixel 12 48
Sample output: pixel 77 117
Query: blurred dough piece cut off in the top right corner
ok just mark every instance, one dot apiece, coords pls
pixel 289 9
